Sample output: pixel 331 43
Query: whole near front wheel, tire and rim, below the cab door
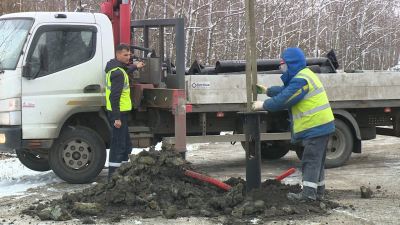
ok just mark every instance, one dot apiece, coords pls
pixel 78 155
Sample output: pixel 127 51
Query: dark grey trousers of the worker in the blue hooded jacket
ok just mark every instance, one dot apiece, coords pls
pixel 312 166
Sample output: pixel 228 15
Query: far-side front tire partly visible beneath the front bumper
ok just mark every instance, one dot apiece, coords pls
pixel 33 161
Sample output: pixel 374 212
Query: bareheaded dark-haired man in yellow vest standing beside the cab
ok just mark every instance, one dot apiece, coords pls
pixel 119 105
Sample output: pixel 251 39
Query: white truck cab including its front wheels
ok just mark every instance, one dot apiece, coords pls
pixel 51 77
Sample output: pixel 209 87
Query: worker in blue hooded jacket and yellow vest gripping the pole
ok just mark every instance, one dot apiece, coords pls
pixel 310 115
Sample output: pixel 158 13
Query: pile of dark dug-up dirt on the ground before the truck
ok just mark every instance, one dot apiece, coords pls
pixel 153 184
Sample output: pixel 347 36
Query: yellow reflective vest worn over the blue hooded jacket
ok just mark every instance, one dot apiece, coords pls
pixel 314 109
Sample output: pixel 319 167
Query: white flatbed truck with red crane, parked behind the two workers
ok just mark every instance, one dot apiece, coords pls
pixel 52 98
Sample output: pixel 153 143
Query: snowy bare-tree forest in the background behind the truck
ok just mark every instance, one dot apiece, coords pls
pixel 364 33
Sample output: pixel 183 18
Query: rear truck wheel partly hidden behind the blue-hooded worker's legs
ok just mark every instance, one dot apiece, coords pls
pixel 340 146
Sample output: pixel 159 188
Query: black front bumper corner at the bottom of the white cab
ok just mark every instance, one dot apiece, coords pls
pixel 10 138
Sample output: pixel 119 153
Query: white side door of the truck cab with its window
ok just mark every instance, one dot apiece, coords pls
pixel 73 81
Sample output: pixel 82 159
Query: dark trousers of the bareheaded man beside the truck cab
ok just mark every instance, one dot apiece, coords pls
pixel 121 145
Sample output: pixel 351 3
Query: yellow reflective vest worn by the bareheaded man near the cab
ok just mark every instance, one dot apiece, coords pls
pixel 125 103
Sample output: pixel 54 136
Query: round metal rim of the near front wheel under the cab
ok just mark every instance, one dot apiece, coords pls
pixel 76 154
